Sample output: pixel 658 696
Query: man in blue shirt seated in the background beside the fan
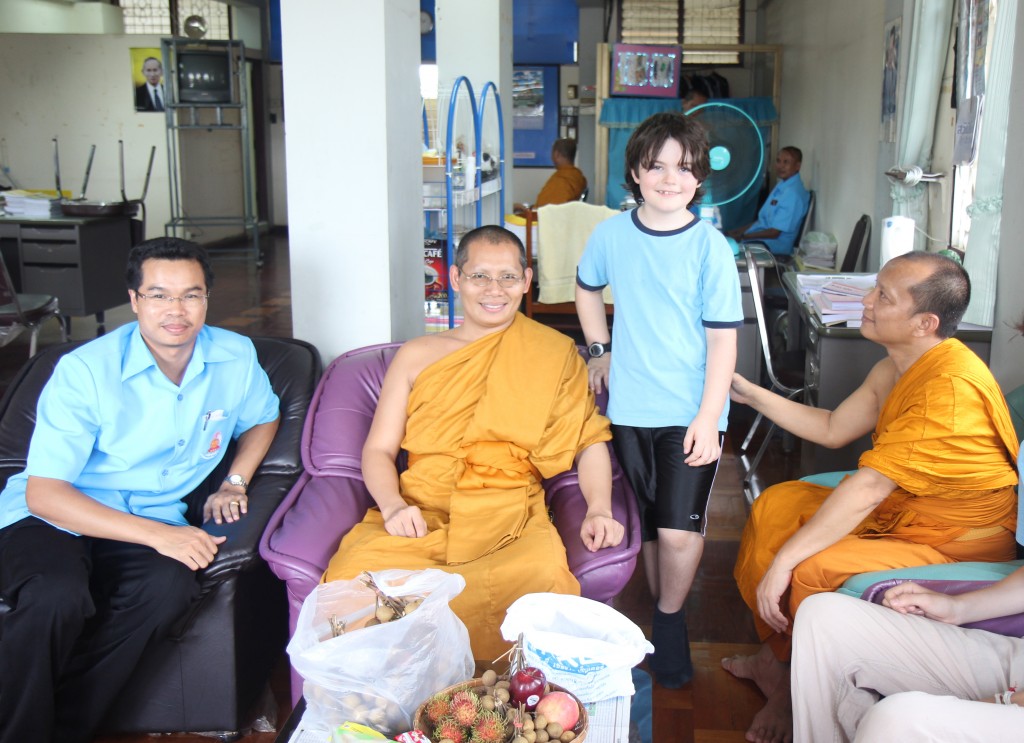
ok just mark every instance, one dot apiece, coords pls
pixel 780 220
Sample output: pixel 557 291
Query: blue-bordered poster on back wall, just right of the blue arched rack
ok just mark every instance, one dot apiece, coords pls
pixel 535 114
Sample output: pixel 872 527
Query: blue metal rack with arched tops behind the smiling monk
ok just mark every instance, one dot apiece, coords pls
pixel 456 198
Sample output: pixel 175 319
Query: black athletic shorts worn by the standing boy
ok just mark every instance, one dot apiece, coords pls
pixel 671 494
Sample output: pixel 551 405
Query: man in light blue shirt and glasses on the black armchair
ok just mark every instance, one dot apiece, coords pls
pixel 97 556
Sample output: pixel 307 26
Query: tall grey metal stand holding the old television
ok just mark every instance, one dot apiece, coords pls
pixel 195 116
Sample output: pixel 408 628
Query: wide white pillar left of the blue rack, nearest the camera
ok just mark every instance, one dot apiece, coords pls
pixel 355 180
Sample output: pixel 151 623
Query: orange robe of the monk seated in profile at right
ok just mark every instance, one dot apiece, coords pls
pixel 946 438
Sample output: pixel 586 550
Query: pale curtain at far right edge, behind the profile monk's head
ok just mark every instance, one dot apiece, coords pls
pixel 984 243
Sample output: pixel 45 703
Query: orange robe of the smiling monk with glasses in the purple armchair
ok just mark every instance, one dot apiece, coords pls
pixel 486 425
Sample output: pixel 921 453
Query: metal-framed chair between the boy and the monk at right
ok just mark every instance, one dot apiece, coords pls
pixel 786 374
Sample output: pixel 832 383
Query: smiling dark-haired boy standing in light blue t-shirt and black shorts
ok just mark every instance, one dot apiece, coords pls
pixel 677 311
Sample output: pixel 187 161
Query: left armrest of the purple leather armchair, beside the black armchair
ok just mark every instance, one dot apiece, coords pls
pixel 306 531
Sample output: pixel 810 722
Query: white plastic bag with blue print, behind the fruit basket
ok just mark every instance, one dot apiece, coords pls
pixel 580 644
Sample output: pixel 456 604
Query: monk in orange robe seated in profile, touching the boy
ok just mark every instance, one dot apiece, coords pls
pixel 937 486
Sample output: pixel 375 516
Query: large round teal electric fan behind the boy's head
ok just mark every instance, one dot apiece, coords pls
pixel 738 156
